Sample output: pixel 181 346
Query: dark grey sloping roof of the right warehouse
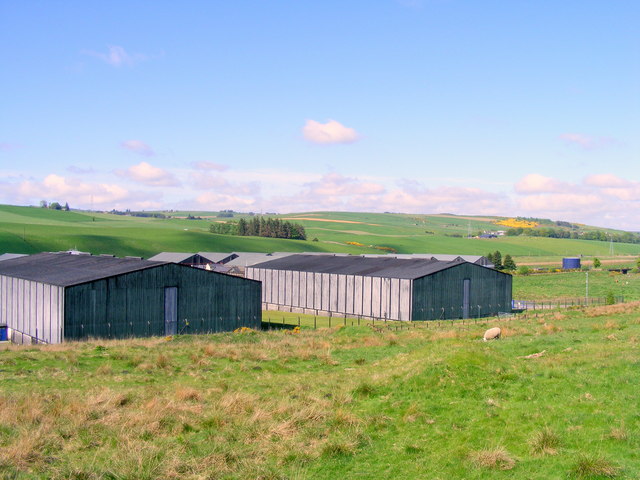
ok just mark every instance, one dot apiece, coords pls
pixel 364 266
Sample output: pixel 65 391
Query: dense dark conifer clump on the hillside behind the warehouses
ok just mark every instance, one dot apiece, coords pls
pixel 261 227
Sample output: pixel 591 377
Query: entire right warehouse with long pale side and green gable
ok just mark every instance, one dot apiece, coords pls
pixel 383 287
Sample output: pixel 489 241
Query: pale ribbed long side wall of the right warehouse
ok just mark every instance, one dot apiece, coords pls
pixel 334 293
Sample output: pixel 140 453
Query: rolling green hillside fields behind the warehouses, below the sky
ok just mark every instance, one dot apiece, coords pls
pixel 33 229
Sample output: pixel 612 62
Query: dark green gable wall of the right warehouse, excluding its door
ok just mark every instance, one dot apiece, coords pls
pixel 440 295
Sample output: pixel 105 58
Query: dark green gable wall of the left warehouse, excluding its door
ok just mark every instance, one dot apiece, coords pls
pixel 132 304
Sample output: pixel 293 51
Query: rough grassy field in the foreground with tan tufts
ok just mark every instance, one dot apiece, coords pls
pixel 555 398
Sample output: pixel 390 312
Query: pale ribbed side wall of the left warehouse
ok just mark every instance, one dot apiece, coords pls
pixel 31 308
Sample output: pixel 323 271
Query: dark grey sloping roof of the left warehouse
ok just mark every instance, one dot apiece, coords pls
pixel 65 269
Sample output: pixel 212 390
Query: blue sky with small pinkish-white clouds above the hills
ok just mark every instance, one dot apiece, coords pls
pixel 528 108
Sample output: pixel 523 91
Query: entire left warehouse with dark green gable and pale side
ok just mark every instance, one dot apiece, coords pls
pixel 53 297
